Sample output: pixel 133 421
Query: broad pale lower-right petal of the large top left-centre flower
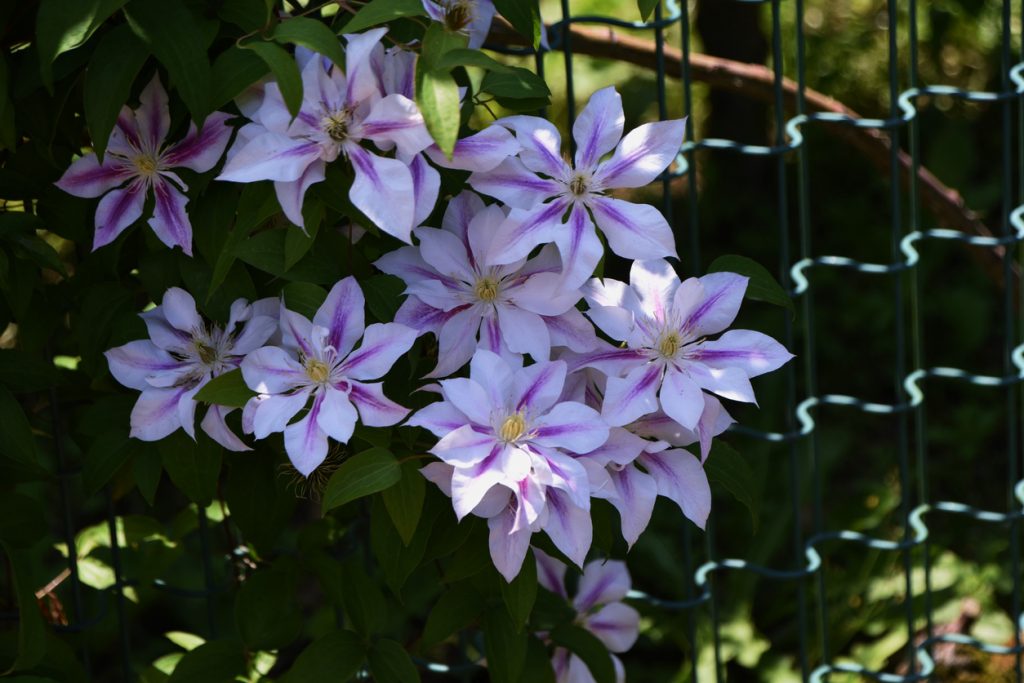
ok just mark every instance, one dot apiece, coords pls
pixel 381 191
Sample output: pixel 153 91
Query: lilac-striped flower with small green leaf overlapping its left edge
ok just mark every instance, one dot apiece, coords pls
pixel 316 362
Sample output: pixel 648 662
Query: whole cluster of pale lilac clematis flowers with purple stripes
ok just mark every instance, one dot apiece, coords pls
pixel 552 415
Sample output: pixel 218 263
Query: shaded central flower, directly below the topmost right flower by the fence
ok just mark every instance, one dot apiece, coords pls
pixel 522 308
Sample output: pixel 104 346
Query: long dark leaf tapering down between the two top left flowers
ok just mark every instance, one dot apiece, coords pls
pixel 177 38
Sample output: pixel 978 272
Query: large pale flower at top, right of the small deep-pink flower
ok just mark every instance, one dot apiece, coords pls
pixel 339 113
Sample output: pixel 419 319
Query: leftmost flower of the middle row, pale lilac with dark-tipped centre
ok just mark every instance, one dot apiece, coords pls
pixel 185 353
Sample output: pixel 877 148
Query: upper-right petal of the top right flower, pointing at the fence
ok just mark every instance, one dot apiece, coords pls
pixel 643 155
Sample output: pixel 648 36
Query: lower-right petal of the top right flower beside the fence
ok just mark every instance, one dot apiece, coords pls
pixel 634 231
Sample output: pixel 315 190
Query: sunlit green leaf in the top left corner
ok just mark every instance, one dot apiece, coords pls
pixel 65 25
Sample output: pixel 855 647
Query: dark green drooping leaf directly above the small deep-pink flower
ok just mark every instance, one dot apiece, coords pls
pixel 112 71
